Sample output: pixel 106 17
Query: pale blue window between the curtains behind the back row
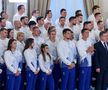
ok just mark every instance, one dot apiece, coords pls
pixel 70 5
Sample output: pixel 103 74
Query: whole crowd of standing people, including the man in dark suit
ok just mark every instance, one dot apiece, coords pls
pixel 43 55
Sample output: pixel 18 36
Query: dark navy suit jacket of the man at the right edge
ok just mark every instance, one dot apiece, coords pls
pixel 100 56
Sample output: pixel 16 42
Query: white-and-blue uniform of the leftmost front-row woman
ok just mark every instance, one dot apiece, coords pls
pixel 13 62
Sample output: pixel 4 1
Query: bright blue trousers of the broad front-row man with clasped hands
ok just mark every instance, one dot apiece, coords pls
pixel 68 80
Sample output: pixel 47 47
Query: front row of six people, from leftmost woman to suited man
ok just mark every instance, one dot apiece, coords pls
pixel 42 71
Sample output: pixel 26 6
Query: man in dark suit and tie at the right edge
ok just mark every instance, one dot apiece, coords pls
pixel 101 62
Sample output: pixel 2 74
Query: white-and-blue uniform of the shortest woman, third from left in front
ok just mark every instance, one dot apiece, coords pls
pixel 46 81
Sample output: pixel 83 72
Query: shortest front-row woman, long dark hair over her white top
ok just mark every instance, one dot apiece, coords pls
pixel 46 63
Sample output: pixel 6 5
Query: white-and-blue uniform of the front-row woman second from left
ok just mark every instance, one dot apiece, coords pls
pixel 32 65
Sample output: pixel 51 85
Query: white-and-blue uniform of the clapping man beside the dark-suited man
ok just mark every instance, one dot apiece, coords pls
pixel 85 64
